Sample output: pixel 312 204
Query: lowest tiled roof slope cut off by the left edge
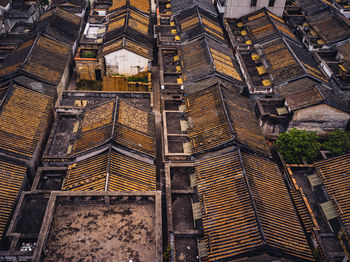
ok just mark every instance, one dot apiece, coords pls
pixel 11 181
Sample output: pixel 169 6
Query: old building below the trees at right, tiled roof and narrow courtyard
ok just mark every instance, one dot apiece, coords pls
pixel 320 194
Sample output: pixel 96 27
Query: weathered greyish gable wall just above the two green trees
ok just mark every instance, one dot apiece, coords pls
pixel 321 118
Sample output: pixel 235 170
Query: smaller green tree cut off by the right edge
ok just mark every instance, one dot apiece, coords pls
pixel 338 142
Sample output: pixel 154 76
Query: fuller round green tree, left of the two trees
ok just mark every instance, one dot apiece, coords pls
pixel 298 145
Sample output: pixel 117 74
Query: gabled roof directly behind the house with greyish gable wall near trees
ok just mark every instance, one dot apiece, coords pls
pixel 288 61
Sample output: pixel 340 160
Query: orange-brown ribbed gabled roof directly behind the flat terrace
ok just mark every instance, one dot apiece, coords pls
pixel 110 171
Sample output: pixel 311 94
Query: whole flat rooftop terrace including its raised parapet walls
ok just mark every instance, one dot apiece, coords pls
pixel 102 226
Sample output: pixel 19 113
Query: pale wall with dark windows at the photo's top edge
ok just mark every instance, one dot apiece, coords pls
pixel 238 8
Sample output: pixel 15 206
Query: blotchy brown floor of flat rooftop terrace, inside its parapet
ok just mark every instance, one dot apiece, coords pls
pixel 91 232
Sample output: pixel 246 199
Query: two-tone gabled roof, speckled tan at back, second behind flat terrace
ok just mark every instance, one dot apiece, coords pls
pixel 117 122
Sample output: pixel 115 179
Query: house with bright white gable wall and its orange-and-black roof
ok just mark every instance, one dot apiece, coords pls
pixel 128 46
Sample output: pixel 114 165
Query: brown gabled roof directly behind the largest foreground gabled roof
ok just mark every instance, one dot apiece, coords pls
pixel 219 117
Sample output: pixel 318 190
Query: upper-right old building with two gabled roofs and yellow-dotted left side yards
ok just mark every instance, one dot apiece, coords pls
pixel 269 54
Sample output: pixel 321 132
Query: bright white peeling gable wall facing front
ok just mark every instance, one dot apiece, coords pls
pixel 125 62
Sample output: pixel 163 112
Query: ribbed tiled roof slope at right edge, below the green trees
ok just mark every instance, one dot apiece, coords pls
pixel 334 173
